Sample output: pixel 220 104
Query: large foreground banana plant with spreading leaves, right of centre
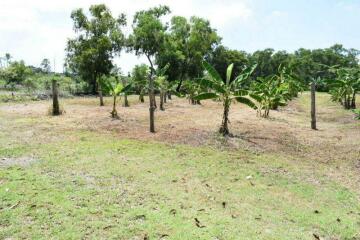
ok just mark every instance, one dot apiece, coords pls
pixel 227 90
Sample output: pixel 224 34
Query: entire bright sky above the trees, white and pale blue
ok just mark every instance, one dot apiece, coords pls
pixel 38 29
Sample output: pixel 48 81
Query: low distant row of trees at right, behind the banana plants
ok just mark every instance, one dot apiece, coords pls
pixel 305 64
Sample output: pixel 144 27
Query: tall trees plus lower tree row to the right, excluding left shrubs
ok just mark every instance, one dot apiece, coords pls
pixel 184 44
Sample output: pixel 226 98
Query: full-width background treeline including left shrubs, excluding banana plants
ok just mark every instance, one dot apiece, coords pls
pixel 177 49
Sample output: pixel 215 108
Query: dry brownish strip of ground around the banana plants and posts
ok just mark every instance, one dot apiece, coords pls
pixel 287 131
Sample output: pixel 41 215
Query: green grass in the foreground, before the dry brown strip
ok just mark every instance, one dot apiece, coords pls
pixel 96 186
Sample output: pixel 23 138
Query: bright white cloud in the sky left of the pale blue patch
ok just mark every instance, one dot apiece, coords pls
pixel 33 30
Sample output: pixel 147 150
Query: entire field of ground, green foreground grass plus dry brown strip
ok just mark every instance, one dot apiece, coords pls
pixel 85 176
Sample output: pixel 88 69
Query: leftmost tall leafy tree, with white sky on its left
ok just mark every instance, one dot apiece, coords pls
pixel 99 39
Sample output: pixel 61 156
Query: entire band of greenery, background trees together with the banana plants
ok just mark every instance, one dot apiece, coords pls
pixel 186 57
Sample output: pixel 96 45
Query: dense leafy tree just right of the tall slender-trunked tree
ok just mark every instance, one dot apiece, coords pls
pixel 187 44
